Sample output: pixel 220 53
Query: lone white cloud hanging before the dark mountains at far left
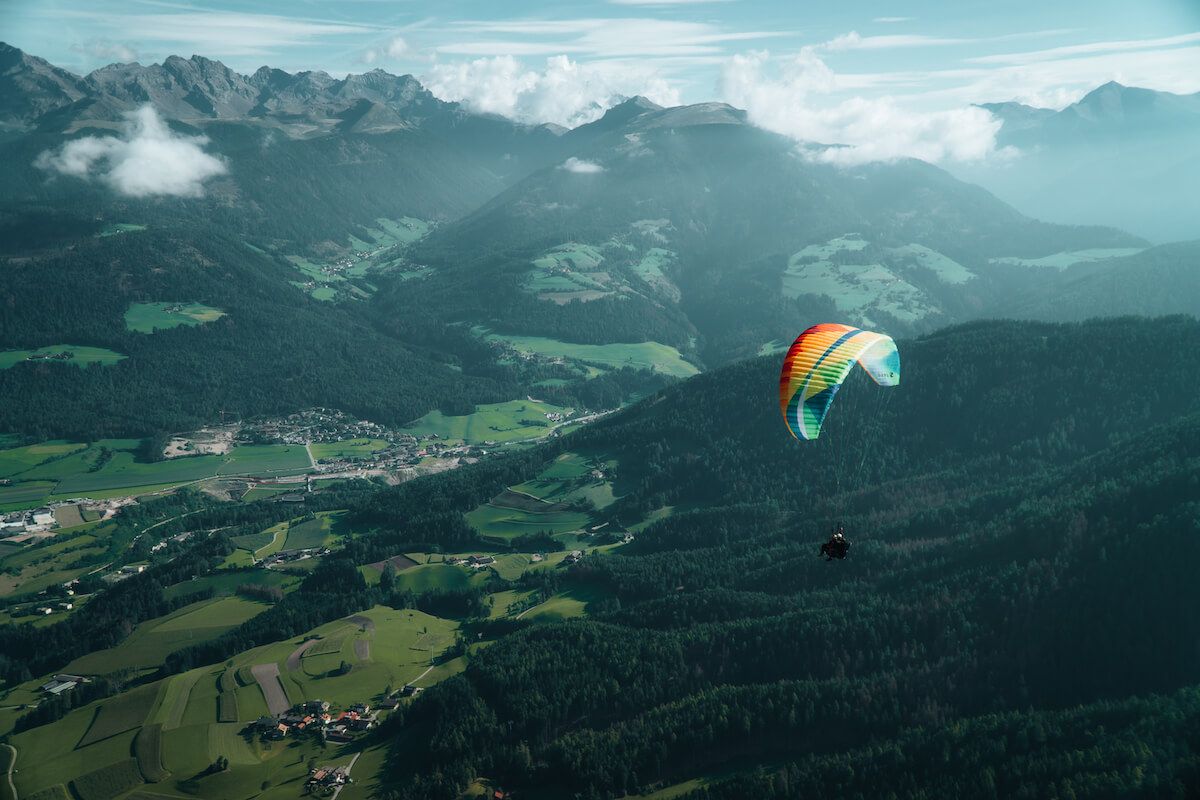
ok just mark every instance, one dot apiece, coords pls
pixel 147 160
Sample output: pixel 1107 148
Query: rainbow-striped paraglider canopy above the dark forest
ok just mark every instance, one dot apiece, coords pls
pixel 818 364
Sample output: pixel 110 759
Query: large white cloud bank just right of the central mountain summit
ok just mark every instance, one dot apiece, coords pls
pixel 779 97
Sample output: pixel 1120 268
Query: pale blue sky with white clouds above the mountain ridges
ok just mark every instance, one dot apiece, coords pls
pixel 891 79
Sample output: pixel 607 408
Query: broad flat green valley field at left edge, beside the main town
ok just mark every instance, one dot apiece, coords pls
pixel 107 468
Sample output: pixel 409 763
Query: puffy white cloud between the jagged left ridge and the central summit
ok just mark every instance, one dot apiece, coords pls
pixel 566 93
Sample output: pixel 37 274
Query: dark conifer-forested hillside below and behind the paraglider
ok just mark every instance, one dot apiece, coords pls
pixel 982 594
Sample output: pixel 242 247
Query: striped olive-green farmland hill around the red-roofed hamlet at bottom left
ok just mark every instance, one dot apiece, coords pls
pixel 176 721
